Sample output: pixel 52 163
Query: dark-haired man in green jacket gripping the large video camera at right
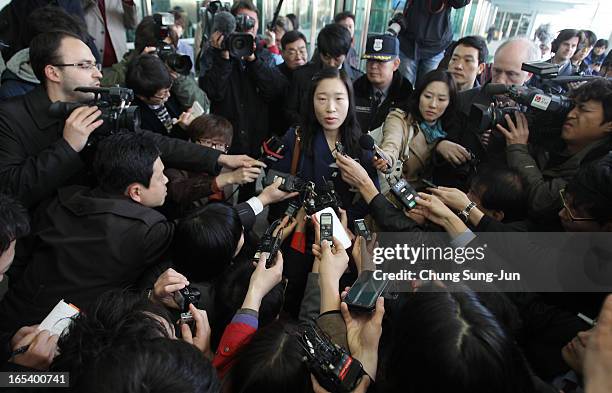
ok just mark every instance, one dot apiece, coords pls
pixel 587 136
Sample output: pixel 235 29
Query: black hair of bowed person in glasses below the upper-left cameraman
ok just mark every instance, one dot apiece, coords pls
pixel 146 75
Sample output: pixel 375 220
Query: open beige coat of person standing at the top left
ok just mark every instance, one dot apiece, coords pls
pixel 119 17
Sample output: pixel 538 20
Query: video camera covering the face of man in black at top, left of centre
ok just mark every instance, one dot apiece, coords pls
pixel 236 40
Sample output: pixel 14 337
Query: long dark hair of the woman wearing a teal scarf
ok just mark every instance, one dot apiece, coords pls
pixel 449 114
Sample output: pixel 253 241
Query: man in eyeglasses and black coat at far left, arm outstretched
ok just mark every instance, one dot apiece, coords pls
pixel 39 153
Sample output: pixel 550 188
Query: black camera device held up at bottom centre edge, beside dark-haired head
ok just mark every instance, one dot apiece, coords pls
pixel 333 367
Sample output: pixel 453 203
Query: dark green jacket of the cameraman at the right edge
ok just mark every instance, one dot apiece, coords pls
pixel 544 181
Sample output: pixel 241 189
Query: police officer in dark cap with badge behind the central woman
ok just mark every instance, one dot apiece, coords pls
pixel 382 87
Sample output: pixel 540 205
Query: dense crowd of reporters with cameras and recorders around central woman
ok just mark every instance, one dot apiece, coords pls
pixel 135 220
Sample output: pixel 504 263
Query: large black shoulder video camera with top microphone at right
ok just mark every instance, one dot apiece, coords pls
pixel 544 110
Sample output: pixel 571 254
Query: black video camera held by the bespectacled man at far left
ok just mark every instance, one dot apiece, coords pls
pixel 113 102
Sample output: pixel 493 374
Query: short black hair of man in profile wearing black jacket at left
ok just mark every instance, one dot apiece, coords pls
pixel 124 158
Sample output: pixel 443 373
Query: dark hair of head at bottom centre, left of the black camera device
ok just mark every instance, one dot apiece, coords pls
pixel 271 362
